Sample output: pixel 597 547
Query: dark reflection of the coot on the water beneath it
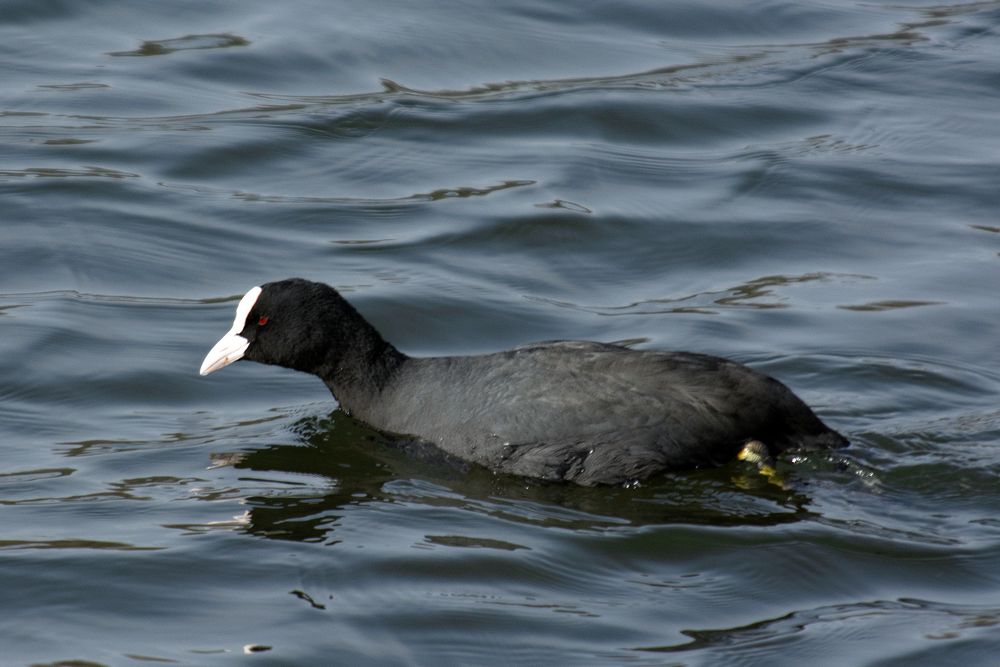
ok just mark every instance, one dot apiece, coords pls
pixel 340 463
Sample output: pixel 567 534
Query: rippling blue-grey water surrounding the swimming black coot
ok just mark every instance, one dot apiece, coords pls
pixel 810 188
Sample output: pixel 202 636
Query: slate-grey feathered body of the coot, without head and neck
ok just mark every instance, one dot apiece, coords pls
pixel 592 412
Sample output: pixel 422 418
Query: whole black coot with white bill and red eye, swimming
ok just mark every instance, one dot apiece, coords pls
pixel 589 413
